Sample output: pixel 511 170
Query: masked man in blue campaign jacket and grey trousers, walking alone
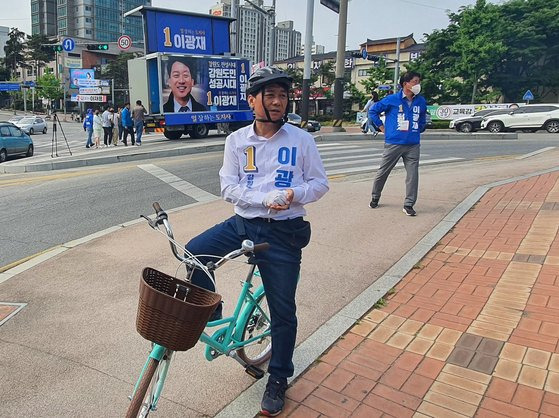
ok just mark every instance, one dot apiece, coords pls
pixel 404 121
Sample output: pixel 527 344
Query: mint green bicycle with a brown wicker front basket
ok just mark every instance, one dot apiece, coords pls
pixel 173 314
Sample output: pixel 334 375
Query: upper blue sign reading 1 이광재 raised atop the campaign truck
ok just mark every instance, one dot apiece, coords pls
pixel 185 33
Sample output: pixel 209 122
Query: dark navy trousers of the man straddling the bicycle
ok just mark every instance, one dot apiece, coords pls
pixel 279 267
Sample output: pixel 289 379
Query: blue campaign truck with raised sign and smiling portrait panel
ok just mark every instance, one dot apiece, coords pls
pixel 187 79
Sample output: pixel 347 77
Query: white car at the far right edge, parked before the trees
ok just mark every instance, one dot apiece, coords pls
pixel 529 117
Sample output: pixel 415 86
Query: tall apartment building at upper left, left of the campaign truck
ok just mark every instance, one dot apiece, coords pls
pixel 98 20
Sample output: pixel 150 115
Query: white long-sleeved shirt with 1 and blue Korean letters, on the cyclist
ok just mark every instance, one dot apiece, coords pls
pixel 254 165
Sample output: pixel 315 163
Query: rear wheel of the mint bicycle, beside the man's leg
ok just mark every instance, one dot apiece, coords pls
pixel 256 323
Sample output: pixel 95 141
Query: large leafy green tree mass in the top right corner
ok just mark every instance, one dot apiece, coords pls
pixel 492 50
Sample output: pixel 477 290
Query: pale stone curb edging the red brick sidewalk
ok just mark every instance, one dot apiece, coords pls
pixel 325 336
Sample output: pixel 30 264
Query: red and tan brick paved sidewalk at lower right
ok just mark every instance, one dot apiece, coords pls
pixel 472 330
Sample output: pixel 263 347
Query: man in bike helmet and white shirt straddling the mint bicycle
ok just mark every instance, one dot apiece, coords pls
pixel 270 170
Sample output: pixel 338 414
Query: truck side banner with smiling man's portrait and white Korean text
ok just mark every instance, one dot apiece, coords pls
pixel 200 84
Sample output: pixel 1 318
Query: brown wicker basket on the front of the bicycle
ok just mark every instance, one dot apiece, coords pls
pixel 172 312
